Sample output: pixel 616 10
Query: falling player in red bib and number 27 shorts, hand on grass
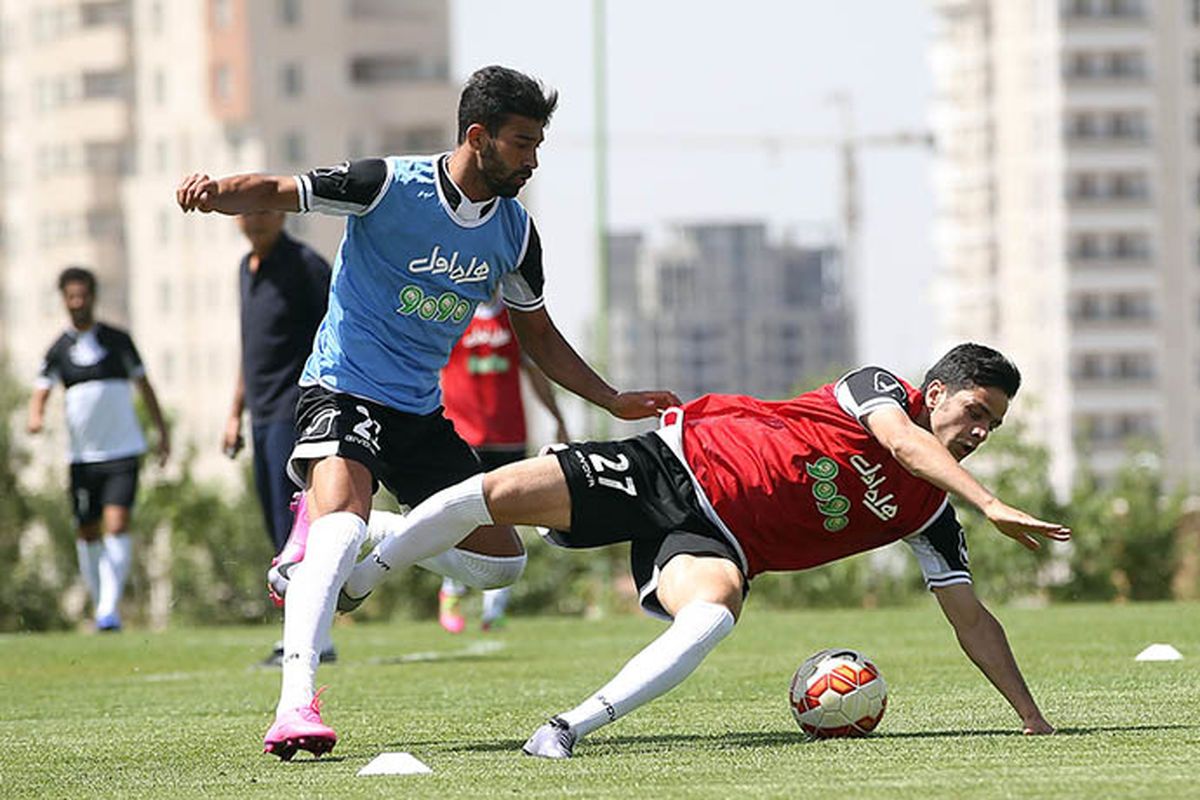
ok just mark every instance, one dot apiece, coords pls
pixel 734 486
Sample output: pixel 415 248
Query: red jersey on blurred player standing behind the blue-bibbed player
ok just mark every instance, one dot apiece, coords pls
pixel 482 383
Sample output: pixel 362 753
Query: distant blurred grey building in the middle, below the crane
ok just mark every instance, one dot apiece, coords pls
pixel 723 309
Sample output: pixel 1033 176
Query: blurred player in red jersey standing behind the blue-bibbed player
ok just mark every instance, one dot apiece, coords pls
pixel 482 396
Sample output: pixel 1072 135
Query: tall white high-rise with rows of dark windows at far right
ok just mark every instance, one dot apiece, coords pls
pixel 1069 185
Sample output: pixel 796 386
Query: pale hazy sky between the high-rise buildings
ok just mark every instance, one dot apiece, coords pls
pixel 697 89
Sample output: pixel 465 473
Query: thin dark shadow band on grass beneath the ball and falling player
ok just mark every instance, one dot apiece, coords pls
pixel 770 738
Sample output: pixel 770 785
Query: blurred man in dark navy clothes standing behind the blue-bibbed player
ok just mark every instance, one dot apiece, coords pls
pixel 284 292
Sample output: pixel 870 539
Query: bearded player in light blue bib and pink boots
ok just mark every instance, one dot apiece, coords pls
pixel 428 238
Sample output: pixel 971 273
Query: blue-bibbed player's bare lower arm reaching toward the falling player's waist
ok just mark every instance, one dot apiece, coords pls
pixel 547 347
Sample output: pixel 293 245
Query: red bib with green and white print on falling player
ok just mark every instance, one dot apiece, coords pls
pixel 801 483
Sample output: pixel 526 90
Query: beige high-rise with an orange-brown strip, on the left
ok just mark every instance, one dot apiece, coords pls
pixel 109 104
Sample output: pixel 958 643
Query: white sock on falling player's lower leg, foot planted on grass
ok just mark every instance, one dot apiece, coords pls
pixel 661 667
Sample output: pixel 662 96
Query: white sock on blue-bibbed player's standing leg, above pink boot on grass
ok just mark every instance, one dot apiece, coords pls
pixel 313 594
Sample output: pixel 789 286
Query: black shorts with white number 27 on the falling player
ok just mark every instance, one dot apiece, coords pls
pixel 637 491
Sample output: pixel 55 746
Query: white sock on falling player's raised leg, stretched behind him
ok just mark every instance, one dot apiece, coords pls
pixel 431 528
